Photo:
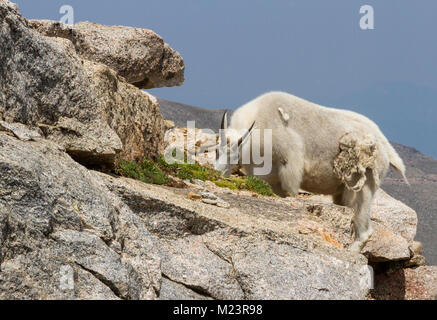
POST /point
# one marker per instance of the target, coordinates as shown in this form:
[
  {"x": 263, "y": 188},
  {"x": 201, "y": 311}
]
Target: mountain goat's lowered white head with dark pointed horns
[{"x": 228, "y": 150}]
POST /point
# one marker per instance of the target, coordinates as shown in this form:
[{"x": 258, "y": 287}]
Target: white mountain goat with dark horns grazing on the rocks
[{"x": 315, "y": 148}]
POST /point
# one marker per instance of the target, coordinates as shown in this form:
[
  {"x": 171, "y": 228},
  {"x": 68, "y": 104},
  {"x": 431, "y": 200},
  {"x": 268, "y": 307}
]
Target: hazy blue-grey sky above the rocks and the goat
[{"x": 236, "y": 50}]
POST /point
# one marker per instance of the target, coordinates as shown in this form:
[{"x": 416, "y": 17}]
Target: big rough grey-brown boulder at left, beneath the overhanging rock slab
[{"x": 85, "y": 106}]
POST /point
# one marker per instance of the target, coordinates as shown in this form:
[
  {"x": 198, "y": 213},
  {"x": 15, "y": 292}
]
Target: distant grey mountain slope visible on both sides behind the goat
[{"x": 421, "y": 172}]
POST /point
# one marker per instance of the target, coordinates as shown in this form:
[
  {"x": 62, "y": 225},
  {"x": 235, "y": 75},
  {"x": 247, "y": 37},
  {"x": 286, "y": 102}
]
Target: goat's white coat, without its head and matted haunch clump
[{"x": 305, "y": 145}]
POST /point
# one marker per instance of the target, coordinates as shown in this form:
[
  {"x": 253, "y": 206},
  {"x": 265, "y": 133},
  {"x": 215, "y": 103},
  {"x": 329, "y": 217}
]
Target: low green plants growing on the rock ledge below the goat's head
[{"x": 158, "y": 172}]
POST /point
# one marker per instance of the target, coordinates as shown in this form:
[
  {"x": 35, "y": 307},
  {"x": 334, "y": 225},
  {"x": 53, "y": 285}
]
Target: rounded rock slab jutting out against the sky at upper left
[{"x": 139, "y": 55}]
